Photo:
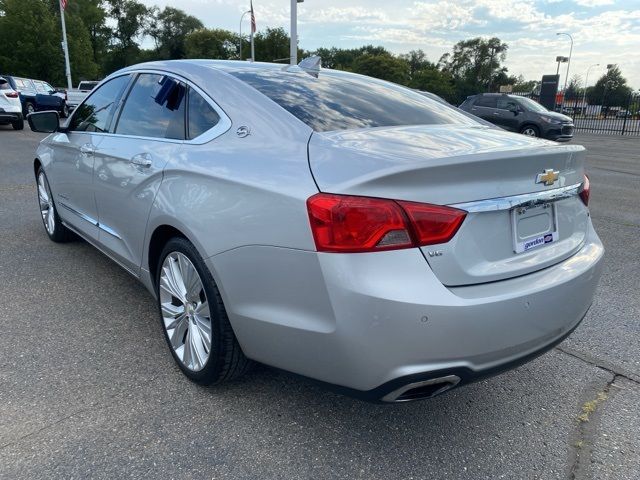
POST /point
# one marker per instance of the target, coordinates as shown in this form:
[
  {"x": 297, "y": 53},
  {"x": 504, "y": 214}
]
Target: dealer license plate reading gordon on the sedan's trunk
[{"x": 534, "y": 227}]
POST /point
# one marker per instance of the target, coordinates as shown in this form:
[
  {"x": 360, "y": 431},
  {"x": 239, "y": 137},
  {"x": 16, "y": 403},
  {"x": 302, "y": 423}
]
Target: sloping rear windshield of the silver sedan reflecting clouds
[{"x": 339, "y": 101}]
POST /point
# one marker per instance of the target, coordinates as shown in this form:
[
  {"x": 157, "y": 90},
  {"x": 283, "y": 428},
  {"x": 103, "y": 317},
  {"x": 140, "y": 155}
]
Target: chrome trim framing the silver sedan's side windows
[{"x": 219, "y": 129}]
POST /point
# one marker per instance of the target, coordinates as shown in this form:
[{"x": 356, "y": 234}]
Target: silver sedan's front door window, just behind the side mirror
[{"x": 94, "y": 115}]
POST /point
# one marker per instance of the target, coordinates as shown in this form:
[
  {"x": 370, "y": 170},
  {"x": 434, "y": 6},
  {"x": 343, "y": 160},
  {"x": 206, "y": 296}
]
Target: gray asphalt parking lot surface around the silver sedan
[{"x": 88, "y": 388}]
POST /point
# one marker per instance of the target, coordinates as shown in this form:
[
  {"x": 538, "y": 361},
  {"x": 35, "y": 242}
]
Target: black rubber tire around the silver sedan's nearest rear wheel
[{"x": 226, "y": 360}]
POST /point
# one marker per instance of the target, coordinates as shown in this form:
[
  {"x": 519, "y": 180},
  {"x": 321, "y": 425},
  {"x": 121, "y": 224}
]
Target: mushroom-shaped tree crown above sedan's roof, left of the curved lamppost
[{"x": 169, "y": 29}]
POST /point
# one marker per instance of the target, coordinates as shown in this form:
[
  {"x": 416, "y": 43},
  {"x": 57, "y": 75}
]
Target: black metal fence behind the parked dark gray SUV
[{"x": 605, "y": 118}]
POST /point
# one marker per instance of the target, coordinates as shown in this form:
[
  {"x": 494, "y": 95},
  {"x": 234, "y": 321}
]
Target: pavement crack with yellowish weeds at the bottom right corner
[{"x": 582, "y": 443}]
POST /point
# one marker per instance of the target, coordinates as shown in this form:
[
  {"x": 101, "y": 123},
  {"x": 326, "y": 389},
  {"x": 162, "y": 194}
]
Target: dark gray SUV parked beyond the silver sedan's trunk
[{"x": 520, "y": 114}]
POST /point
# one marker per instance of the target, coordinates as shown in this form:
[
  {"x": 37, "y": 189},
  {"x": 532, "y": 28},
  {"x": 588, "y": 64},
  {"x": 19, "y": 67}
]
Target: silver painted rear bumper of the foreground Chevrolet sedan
[{"x": 372, "y": 322}]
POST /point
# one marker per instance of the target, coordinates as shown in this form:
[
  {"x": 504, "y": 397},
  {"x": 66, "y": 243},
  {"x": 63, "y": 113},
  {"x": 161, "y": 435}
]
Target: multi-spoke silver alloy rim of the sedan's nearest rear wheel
[{"x": 185, "y": 311}]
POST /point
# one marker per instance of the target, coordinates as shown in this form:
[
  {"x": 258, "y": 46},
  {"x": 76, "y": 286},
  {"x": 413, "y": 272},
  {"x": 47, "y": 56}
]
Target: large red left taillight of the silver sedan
[{"x": 342, "y": 223}]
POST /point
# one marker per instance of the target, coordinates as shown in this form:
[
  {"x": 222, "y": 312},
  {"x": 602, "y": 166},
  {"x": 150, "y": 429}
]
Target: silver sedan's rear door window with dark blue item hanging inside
[{"x": 155, "y": 107}]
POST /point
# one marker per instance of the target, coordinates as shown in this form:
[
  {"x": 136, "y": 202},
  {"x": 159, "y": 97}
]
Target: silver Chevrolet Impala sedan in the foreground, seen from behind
[{"x": 334, "y": 225}]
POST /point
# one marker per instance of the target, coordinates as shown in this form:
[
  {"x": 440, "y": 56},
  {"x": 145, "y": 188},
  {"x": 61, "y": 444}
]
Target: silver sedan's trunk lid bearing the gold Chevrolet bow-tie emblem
[{"x": 471, "y": 168}]
